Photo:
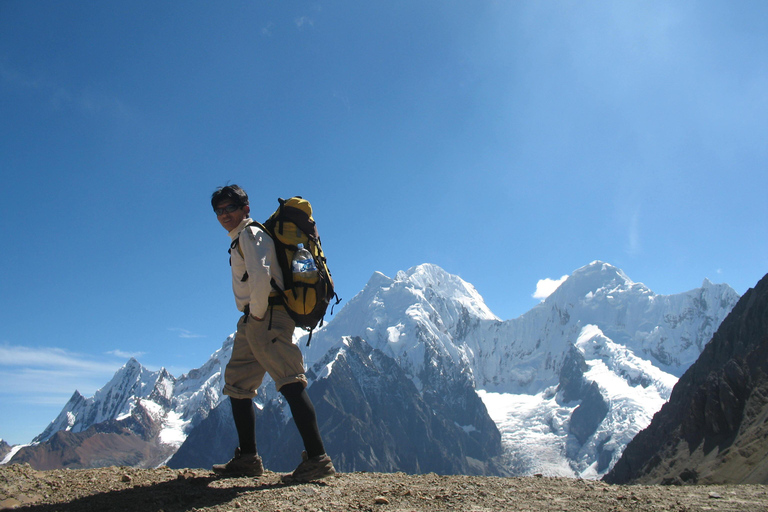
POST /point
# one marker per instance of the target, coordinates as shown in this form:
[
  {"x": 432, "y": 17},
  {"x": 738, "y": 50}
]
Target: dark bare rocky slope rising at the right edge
[{"x": 713, "y": 429}]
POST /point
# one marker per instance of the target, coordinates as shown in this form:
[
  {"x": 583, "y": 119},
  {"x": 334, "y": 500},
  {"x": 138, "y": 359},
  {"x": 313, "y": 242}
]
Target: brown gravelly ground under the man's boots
[{"x": 163, "y": 489}]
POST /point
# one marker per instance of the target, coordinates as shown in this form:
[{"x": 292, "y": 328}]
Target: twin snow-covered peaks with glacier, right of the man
[{"x": 634, "y": 344}]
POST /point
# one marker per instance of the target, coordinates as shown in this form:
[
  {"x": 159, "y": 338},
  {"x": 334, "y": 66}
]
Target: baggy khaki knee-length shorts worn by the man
[{"x": 258, "y": 350}]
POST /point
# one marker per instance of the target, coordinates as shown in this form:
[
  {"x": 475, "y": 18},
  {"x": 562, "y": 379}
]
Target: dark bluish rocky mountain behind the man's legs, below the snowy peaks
[{"x": 372, "y": 418}]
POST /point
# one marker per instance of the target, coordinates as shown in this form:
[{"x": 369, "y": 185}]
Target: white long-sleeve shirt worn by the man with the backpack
[{"x": 259, "y": 259}]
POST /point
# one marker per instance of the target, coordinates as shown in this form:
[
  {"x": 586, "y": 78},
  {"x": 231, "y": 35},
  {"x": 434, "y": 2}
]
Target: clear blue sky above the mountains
[{"x": 507, "y": 142}]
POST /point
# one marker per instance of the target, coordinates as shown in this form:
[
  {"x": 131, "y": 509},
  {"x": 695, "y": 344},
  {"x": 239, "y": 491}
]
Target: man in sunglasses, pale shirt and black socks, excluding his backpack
[{"x": 263, "y": 344}]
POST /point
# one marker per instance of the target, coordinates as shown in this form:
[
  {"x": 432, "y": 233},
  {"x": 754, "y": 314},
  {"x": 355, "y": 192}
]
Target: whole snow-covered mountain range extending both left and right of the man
[{"x": 568, "y": 384}]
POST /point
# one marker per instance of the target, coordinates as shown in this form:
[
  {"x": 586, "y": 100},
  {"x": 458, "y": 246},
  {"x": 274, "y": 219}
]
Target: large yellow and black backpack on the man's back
[{"x": 305, "y": 299}]
